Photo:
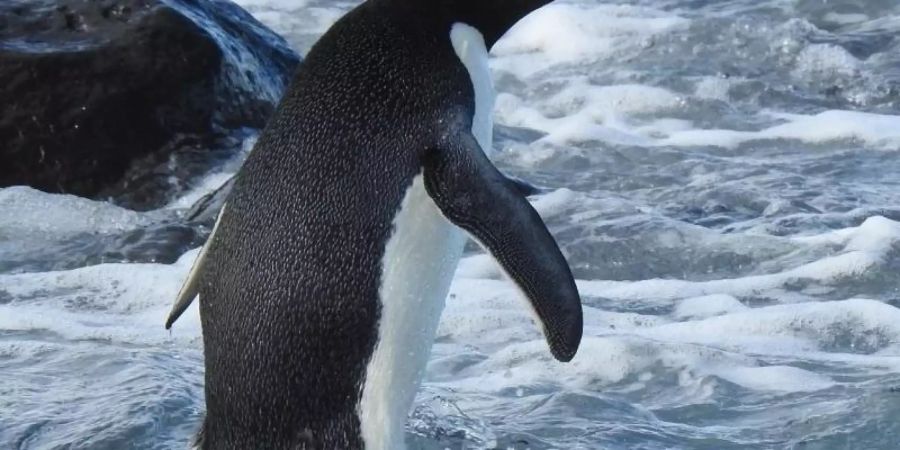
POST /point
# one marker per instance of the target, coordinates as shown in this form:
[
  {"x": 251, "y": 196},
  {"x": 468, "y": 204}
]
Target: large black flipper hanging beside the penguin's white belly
[{"x": 475, "y": 196}]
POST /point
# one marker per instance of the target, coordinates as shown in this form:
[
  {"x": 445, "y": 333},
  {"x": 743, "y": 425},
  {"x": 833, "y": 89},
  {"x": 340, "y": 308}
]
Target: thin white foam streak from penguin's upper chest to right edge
[{"x": 603, "y": 122}]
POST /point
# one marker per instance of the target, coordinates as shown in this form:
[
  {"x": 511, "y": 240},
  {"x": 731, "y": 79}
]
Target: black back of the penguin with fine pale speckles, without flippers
[{"x": 289, "y": 298}]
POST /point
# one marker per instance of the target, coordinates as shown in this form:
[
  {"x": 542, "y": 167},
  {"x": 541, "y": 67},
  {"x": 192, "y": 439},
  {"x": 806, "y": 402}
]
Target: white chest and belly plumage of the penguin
[{"x": 417, "y": 267}]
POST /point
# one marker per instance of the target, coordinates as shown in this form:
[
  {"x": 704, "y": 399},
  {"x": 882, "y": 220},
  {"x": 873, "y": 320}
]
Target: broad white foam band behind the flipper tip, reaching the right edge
[{"x": 624, "y": 347}]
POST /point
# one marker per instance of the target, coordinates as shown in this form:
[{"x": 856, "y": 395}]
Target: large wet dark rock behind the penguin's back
[{"x": 91, "y": 90}]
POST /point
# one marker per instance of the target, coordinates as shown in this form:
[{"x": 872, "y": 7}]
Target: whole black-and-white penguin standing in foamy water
[{"x": 323, "y": 281}]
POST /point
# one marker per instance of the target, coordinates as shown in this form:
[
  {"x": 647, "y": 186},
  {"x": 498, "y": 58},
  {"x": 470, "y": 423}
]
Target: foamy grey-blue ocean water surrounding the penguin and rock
[{"x": 723, "y": 176}]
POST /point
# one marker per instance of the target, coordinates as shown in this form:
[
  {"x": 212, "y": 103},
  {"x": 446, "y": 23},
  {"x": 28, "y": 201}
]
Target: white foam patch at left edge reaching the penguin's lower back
[{"x": 125, "y": 303}]
